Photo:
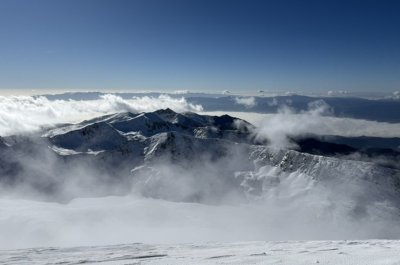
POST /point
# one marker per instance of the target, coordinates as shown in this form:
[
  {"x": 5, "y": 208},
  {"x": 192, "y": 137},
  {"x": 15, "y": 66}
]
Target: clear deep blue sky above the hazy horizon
[{"x": 200, "y": 45}]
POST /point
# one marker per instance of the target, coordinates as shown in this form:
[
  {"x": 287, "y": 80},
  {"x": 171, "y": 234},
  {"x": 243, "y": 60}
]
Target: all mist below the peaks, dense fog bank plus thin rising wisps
[{"x": 170, "y": 200}]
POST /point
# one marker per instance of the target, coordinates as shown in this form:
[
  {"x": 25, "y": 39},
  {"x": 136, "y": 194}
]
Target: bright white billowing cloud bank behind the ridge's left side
[{"x": 19, "y": 114}]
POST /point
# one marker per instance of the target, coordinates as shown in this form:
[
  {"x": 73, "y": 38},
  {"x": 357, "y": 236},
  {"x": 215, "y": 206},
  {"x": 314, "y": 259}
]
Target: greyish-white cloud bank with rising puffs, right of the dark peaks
[{"x": 317, "y": 120}]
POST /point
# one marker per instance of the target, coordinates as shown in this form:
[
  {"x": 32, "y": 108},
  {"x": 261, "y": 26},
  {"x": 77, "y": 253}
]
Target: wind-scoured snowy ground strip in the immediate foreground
[{"x": 278, "y": 252}]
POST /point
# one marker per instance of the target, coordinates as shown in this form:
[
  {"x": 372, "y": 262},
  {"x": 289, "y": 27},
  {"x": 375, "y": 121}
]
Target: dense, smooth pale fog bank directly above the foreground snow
[{"x": 116, "y": 220}]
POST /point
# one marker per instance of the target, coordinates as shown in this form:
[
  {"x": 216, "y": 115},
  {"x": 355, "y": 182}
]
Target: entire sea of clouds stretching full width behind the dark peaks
[{"x": 22, "y": 114}]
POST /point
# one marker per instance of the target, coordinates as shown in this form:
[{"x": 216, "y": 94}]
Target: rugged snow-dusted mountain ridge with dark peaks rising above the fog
[{"x": 182, "y": 157}]
